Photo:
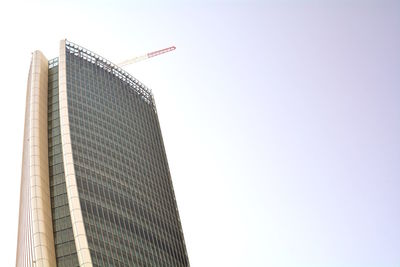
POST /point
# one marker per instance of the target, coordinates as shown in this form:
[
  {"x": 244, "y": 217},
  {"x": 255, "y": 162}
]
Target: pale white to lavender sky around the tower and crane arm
[{"x": 281, "y": 119}]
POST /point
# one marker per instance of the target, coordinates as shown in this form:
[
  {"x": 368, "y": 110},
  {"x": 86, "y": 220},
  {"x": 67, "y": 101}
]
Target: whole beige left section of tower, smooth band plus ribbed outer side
[{"x": 36, "y": 241}]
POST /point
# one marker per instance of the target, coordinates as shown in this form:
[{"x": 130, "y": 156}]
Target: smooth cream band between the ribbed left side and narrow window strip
[{"x": 43, "y": 239}]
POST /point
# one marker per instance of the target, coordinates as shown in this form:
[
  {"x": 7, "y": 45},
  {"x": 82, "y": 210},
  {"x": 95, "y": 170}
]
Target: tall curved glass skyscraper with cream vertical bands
[{"x": 95, "y": 187}]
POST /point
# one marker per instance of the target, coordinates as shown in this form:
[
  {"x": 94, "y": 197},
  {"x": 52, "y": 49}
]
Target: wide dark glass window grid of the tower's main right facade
[{"x": 128, "y": 204}]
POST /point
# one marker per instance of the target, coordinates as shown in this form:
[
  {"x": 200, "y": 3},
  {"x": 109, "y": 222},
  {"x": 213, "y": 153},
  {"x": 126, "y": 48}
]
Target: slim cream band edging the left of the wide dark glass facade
[{"x": 78, "y": 227}]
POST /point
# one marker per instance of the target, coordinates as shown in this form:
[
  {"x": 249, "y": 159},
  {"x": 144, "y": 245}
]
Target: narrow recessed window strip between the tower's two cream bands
[{"x": 62, "y": 228}]
